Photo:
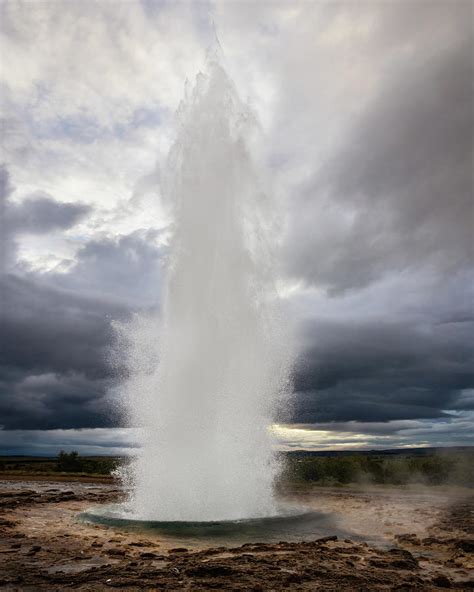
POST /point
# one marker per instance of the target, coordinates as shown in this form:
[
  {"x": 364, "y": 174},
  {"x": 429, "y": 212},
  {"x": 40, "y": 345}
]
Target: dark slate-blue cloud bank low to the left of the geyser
[{"x": 54, "y": 369}]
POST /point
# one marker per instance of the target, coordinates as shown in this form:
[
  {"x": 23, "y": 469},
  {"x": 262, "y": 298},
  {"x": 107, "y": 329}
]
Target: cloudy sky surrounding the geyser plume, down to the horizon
[{"x": 366, "y": 111}]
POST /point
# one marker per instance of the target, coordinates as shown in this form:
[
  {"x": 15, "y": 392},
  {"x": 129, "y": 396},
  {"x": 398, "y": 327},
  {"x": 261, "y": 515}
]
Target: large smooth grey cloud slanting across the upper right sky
[{"x": 398, "y": 194}]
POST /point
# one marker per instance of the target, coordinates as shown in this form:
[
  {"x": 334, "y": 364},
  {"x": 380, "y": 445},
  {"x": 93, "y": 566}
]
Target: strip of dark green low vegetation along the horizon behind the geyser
[{"x": 419, "y": 466}]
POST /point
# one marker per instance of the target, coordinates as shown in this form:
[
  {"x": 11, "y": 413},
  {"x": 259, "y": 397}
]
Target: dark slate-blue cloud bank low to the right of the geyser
[{"x": 376, "y": 371}]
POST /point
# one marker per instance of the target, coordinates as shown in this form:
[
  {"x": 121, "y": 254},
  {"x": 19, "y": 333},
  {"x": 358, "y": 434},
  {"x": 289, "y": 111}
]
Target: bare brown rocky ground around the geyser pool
[{"x": 417, "y": 540}]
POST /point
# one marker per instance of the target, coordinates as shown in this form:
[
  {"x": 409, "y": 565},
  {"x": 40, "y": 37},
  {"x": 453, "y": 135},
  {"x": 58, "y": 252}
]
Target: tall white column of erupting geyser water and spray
[{"x": 203, "y": 382}]
